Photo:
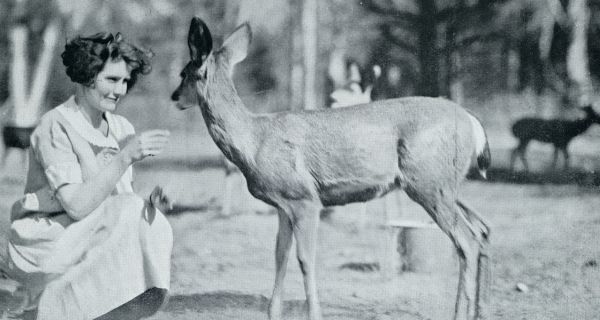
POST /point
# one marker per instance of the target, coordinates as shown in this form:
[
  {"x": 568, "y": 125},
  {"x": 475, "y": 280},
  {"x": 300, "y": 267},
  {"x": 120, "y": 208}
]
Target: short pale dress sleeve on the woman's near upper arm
[{"x": 54, "y": 151}]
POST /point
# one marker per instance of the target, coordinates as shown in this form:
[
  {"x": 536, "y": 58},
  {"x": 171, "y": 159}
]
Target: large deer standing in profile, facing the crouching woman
[{"x": 301, "y": 161}]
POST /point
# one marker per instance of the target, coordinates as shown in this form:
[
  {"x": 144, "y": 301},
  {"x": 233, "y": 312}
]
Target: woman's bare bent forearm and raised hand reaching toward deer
[{"x": 81, "y": 199}]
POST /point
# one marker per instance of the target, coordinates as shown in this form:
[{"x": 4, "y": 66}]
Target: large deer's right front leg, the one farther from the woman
[{"x": 306, "y": 224}]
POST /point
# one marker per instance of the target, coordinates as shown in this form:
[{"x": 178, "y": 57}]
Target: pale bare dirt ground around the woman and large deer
[{"x": 544, "y": 237}]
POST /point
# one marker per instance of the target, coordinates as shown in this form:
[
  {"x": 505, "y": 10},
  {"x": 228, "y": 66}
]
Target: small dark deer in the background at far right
[{"x": 555, "y": 131}]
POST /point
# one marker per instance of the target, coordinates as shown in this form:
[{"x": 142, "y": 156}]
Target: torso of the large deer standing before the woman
[{"x": 357, "y": 153}]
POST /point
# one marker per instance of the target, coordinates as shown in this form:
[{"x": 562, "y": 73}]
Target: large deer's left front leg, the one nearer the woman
[{"x": 282, "y": 252}]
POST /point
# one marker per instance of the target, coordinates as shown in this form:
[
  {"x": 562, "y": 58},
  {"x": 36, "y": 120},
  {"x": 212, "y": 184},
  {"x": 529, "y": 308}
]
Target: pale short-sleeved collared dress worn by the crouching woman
[{"x": 84, "y": 269}]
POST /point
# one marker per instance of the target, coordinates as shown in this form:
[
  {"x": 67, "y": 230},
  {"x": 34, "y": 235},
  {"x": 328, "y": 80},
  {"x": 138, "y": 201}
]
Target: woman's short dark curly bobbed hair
[{"x": 85, "y": 57}]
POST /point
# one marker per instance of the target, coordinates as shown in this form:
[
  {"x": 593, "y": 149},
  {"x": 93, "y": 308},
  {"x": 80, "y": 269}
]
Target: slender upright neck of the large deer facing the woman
[{"x": 228, "y": 121}]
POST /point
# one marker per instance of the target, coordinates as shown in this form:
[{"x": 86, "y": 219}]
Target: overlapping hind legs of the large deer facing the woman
[{"x": 468, "y": 234}]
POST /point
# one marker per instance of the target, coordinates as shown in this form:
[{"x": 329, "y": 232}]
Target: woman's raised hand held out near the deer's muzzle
[{"x": 147, "y": 143}]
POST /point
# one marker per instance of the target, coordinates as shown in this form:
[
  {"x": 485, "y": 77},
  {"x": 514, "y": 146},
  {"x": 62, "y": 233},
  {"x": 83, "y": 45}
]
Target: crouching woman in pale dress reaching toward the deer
[{"x": 82, "y": 243}]
